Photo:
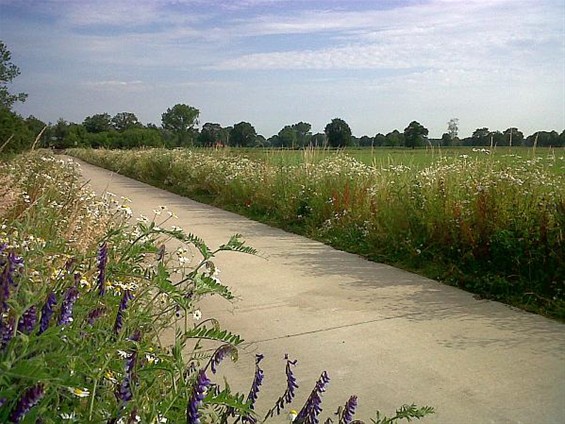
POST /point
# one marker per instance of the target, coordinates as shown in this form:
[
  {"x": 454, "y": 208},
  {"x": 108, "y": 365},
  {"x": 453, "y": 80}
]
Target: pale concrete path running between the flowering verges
[{"x": 388, "y": 336}]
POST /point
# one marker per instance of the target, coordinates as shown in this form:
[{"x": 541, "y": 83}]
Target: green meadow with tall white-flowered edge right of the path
[{"x": 490, "y": 221}]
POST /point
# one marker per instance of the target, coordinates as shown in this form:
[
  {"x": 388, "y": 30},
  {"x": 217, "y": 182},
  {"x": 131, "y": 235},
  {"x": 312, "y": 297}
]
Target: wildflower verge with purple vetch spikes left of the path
[{"x": 86, "y": 291}]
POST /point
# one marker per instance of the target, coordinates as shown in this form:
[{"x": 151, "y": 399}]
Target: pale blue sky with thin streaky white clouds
[{"x": 376, "y": 64}]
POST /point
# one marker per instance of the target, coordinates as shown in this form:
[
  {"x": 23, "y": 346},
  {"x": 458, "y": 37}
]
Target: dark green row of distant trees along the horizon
[{"x": 179, "y": 128}]
